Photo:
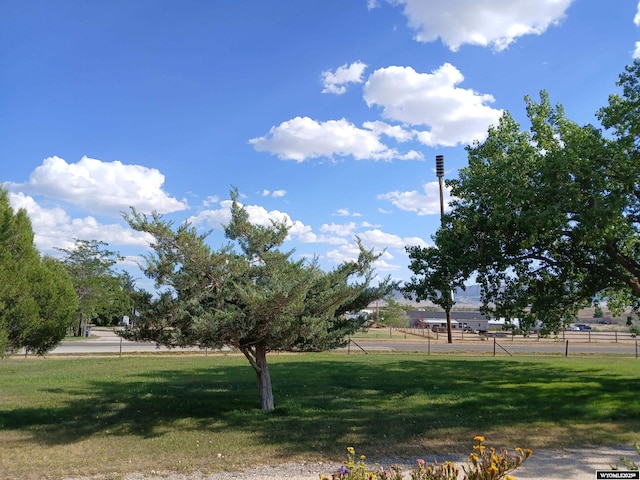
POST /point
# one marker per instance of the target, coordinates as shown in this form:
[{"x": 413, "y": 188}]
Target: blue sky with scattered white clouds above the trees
[{"x": 327, "y": 113}]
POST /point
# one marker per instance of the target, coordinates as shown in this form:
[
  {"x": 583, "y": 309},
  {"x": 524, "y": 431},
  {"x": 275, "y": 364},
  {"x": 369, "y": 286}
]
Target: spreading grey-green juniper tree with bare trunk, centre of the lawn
[{"x": 249, "y": 295}]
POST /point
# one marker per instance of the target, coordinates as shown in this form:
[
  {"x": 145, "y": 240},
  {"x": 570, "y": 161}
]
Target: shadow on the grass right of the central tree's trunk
[{"x": 406, "y": 404}]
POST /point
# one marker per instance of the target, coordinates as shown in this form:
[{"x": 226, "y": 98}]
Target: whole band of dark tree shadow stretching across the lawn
[{"x": 384, "y": 405}]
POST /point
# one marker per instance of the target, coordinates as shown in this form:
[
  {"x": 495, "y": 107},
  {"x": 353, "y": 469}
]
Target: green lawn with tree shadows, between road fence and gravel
[{"x": 64, "y": 417}]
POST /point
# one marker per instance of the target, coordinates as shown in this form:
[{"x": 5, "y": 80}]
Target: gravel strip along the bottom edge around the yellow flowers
[{"x": 570, "y": 464}]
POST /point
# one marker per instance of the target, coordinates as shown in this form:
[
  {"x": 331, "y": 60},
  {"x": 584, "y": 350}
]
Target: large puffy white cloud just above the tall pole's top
[{"x": 454, "y": 115}]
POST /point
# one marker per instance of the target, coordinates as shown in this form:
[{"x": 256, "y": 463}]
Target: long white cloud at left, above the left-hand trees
[{"x": 101, "y": 187}]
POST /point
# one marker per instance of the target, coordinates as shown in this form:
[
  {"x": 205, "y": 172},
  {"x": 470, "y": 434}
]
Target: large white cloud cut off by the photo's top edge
[{"x": 487, "y": 23}]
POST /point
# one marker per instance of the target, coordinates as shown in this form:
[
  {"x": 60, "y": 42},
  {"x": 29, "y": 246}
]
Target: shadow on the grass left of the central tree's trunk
[{"x": 145, "y": 405}]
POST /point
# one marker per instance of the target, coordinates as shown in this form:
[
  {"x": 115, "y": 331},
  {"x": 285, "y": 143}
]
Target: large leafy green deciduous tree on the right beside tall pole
[{"x": 547, "y": 219}]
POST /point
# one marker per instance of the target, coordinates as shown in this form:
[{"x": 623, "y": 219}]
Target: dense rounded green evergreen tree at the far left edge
[{"x": 37, "y": 300}]
